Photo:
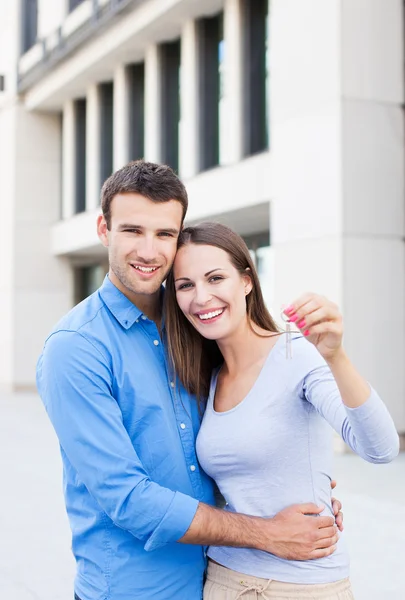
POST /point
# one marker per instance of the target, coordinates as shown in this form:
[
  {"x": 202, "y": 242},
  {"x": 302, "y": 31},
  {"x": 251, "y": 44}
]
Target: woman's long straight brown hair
[{"x": 192, "y": 356}]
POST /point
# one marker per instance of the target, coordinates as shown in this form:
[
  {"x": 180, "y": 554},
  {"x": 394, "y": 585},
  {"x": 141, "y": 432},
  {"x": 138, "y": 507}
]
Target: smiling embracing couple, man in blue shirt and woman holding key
[{"x": 129, "y": 374}]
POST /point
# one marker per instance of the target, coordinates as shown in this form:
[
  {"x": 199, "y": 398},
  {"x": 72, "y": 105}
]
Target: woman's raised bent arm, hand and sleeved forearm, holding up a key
[{"x": 335, "y": 387}]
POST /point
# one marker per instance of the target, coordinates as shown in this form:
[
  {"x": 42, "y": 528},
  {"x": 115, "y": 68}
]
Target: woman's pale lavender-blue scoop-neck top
[{"x": 274, "y": 449}]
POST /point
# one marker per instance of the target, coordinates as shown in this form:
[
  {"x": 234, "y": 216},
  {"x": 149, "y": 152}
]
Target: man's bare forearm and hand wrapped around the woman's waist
[{"x": 291, "y": 534}]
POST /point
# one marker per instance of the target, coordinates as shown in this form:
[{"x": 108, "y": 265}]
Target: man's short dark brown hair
[{"x": 158, "y": 183}]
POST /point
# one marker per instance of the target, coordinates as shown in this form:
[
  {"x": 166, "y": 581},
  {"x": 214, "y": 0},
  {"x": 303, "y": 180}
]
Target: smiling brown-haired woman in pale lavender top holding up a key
[{"x": 265, "y": 437}]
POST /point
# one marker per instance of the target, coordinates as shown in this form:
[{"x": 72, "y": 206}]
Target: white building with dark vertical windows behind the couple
[{"x": 283, "y": 118}]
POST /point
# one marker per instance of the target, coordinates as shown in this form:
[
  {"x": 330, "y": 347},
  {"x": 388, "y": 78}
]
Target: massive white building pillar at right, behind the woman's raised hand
[{"x": 337, "y": 218}]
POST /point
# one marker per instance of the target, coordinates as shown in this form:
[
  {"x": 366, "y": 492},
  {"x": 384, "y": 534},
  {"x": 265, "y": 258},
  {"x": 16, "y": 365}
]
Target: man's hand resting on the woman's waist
[{"x": 297, "y": 533}]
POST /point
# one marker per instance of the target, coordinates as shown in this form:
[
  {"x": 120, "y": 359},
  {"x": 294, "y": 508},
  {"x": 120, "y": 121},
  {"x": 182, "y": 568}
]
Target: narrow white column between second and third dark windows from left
[{"x": 121, "y": 117}]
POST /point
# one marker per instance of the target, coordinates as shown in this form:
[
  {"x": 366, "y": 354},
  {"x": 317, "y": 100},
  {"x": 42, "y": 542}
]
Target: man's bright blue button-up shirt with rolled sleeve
[{"x": 127, "y": 434}]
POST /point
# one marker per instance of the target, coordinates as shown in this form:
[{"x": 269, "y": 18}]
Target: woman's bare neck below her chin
[{"x": 246, "y": 346}]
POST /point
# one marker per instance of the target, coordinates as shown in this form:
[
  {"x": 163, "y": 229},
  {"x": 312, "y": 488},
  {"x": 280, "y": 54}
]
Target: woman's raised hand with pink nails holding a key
[{"x": 320, "y": 321}]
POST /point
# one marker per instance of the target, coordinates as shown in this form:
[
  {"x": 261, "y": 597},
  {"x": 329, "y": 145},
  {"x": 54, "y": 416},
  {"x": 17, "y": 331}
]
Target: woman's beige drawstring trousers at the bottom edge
[{"x": 225, "y": 584}]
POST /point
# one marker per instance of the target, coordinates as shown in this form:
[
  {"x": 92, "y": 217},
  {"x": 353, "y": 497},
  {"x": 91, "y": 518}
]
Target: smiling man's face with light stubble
[{"x": 141, "y": 242}]
